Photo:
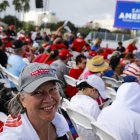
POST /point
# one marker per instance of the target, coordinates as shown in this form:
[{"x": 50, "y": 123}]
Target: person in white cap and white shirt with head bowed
[{"x": 85, "y": 100}]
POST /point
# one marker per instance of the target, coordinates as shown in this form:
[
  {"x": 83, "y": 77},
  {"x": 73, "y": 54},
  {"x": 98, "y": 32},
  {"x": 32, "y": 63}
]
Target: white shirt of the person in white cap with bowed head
[{"x": 88, "y": 106}]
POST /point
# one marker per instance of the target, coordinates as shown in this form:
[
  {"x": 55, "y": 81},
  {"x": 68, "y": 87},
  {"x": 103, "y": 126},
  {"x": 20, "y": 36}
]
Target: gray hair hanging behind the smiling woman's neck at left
[{"x": 15, "y": 107}]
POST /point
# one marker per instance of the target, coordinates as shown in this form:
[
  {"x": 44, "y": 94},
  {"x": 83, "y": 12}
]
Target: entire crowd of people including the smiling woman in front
[{"x": 41, "y": 60}]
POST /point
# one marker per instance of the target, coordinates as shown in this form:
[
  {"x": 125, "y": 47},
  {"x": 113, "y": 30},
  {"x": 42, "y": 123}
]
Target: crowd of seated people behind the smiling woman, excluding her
[{"x": 89, "y": 60}]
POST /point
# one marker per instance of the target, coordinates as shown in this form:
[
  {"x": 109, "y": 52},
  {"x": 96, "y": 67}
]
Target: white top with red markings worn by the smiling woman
[{"x": 21, "y": 128}]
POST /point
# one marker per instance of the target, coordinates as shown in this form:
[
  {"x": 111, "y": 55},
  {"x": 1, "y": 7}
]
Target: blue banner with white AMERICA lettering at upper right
[{"x": 127, "y": 15}]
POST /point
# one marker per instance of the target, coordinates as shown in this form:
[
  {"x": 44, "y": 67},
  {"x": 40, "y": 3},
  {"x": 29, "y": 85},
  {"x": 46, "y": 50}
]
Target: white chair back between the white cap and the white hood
[{"x": 111, "y": 81}]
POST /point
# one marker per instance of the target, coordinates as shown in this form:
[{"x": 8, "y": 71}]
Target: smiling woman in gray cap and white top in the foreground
[{"x": 34, "y": 109}]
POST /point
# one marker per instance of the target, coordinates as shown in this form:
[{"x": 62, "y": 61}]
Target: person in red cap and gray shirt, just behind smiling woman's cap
[{"x": 60, "y": 64}]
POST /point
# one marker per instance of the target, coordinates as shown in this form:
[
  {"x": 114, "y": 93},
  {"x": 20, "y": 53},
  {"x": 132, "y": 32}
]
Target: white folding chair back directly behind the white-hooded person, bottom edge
[{"x": 102, "y": 132}]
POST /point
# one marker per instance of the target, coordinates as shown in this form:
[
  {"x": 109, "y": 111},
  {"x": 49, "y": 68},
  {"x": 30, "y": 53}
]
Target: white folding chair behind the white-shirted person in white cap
[{"x": 80, "y": 119}]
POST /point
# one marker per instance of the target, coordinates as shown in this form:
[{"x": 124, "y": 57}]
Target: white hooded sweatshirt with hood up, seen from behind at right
[{"x": 122, "y": 118}]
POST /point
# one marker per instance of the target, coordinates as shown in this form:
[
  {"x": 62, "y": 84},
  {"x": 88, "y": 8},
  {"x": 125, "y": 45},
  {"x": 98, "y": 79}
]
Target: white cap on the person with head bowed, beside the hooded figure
[{"x": 96, "y": 82}]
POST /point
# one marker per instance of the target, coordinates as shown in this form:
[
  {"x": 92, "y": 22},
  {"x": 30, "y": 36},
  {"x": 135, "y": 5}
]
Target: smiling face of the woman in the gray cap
[{"x": 42, "y": 104}]
